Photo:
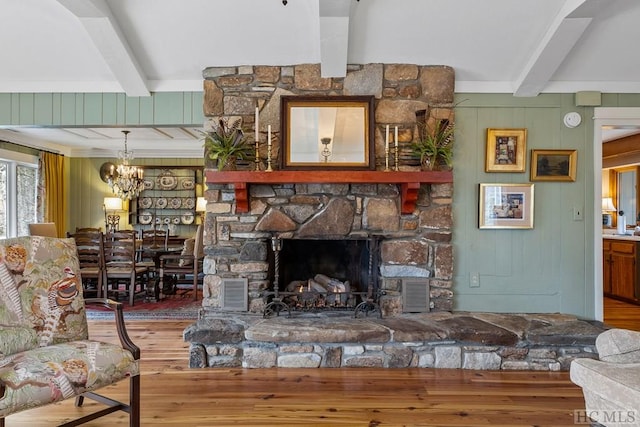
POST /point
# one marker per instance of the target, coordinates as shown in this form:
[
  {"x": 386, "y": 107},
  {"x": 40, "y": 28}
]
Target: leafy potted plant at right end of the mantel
[{"x": 434, "y": 147}]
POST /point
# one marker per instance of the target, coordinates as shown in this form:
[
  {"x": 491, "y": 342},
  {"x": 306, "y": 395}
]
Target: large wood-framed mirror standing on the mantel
[{"x": 327, "y": 132}]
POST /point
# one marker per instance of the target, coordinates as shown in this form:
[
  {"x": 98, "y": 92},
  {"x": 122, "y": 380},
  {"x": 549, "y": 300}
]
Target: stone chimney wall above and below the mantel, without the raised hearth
[{"x": 413, "y": 245}]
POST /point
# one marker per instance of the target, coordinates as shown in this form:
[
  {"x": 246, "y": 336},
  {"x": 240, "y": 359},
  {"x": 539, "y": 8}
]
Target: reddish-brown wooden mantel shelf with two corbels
[{"x": 408, "y": 181}]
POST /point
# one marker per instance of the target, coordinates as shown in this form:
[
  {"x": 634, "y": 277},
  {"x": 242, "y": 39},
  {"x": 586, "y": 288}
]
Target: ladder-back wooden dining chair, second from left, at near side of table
[{"x": 119, "y": 249}]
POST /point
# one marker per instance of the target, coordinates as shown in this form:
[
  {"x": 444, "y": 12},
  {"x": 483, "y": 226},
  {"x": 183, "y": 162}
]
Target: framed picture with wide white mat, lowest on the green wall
[{"x": 506, "y": 206}]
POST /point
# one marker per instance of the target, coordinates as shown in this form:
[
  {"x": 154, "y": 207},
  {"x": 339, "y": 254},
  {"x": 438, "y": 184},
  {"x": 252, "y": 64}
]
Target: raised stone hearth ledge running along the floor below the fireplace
[{"x": 431, "y": 340}]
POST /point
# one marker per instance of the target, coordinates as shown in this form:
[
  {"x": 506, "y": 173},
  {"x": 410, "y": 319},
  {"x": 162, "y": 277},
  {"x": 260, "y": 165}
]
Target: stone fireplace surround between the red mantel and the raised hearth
[{"x": 407, "y": 246}]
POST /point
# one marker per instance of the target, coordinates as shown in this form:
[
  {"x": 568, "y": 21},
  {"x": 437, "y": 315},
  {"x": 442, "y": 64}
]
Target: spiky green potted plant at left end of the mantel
[{"x": 226, "y": 144}]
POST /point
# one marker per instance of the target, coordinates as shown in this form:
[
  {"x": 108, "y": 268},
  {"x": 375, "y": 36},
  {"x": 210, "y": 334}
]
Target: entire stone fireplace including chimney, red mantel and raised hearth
[{"x": 406, "y": 213}]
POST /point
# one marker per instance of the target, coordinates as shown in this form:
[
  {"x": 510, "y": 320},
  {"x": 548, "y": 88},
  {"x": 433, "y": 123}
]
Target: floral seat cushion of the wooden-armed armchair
[{"x": 56, "y": 372}]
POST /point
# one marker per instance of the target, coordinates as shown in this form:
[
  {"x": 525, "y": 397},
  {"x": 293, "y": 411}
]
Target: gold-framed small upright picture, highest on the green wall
[{"x": 506, "y": 150}]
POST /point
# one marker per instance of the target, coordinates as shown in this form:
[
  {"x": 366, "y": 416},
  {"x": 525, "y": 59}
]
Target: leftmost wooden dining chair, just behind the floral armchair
[{"x": 89, "y": 245}]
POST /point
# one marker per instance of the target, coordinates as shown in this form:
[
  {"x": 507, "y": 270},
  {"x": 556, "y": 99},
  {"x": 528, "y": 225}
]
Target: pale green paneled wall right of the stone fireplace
[{"x": 546, "y": 269}]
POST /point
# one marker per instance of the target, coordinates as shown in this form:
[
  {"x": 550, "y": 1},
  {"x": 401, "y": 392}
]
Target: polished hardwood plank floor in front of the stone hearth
[{"x": 174, "y": 395}]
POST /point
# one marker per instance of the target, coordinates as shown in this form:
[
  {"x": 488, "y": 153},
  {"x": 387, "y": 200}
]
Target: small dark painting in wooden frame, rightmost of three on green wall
[{"x": 553, "y": 165}]
